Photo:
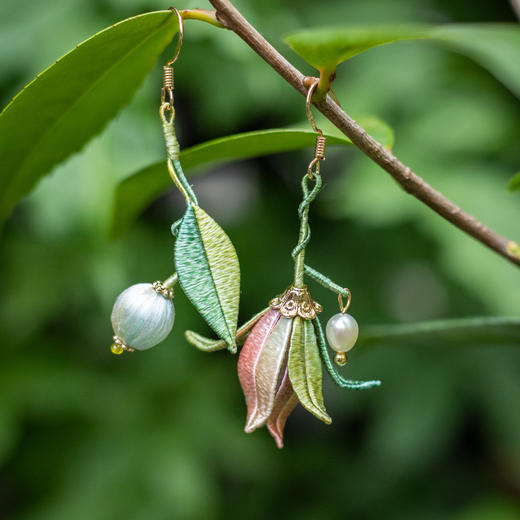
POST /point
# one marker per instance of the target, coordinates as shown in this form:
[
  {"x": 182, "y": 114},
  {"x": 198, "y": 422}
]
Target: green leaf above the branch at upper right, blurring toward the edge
[{"x": 494, "y": 46}]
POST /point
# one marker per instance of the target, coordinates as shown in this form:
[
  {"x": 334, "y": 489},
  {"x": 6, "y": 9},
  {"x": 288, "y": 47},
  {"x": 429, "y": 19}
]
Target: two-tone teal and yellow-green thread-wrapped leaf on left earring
[{"x": 209, "y": 274}]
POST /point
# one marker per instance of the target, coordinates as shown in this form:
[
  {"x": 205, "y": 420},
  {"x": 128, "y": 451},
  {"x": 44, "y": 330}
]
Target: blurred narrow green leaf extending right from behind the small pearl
[{"x": 459, "y": 331}]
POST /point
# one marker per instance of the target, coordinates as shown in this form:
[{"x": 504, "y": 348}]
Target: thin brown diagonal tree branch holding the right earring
[{"x": 231, "y": 18}]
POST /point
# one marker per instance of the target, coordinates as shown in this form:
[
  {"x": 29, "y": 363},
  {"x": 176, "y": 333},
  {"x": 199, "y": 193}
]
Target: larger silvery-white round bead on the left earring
[{"x": 141, "y": 317}]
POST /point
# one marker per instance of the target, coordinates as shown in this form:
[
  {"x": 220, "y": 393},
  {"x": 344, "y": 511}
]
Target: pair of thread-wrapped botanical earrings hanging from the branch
[{"x": 280, "y": 363}]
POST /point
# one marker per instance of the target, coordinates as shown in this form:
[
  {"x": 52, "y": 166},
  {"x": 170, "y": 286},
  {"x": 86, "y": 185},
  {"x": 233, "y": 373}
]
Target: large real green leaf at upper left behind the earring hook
[{"x": 70, "y": 102}]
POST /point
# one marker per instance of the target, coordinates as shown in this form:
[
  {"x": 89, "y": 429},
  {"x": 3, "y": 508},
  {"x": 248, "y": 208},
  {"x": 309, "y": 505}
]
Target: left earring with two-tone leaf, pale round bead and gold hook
[{"x": 206, "y": 263}]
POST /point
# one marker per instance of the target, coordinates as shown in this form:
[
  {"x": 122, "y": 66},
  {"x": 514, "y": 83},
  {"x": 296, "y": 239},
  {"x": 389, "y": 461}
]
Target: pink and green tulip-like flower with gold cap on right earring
[{"x": 280, "y": 364}]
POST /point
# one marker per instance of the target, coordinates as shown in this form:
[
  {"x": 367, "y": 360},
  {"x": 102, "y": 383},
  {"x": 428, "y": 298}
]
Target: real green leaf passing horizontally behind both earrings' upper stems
[{"x": 138, "y": 190}]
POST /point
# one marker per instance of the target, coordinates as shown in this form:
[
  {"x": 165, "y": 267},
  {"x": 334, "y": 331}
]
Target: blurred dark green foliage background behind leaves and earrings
[{"x": 87, "y": 435}]
